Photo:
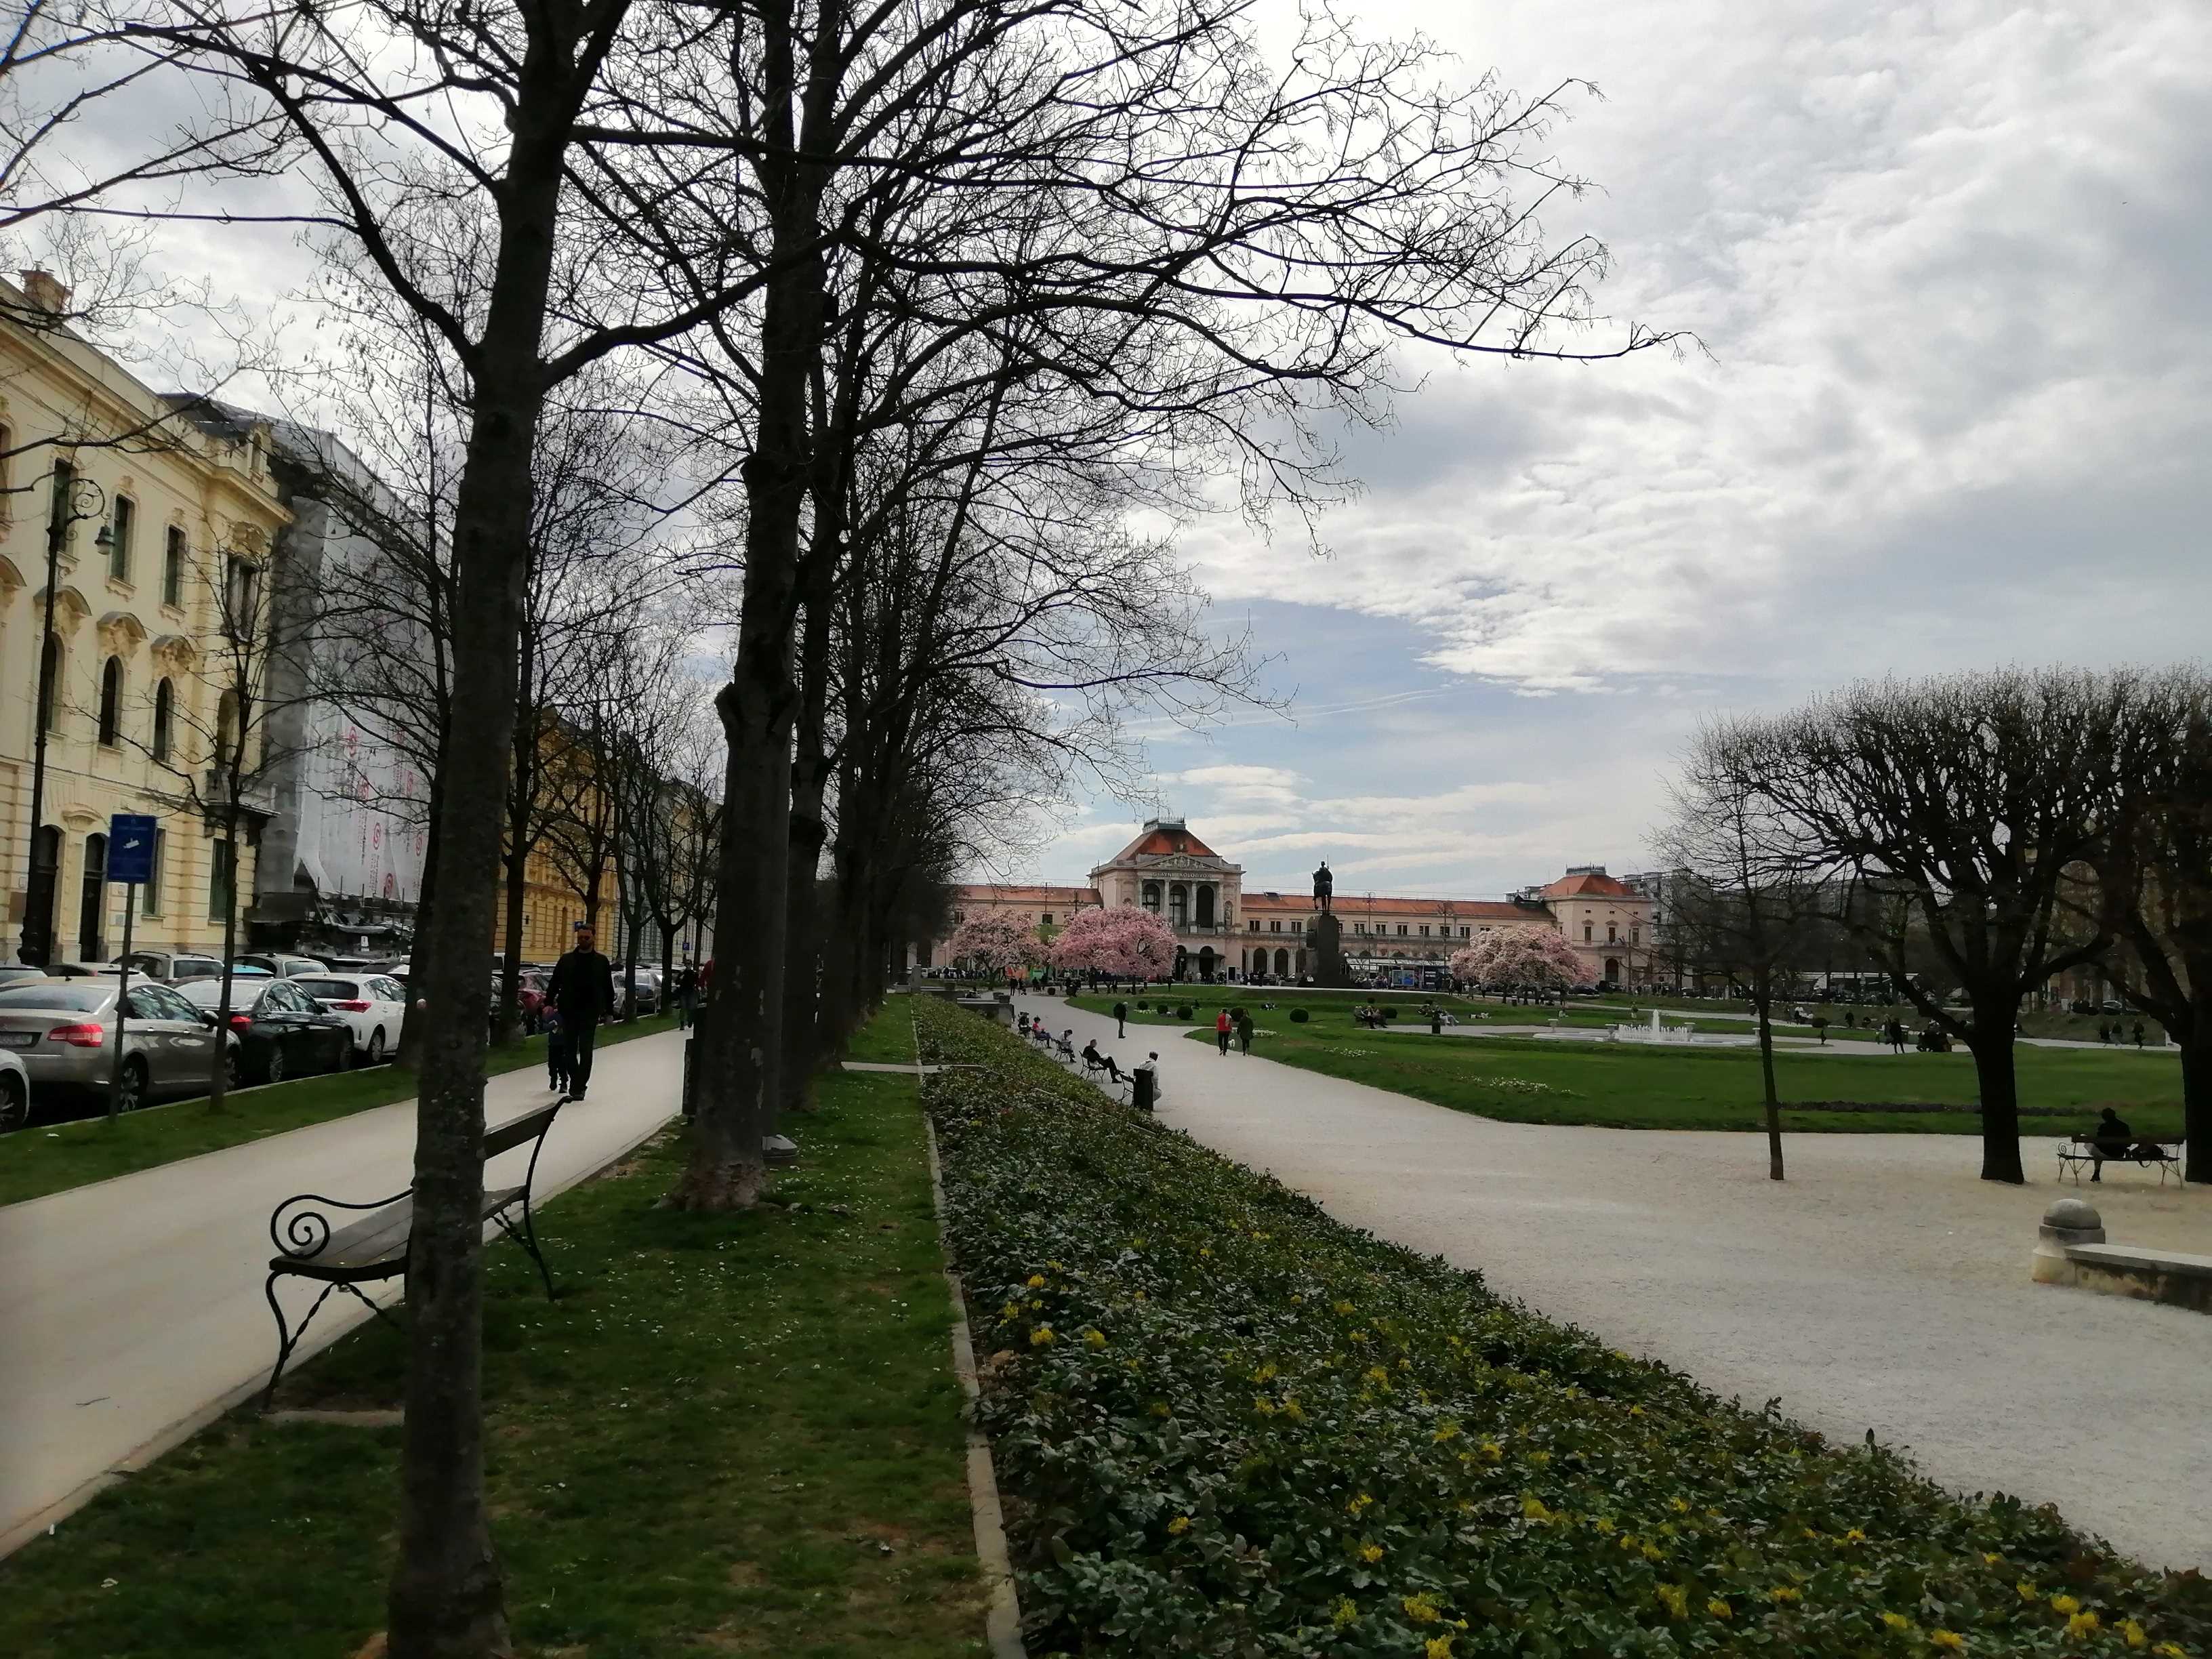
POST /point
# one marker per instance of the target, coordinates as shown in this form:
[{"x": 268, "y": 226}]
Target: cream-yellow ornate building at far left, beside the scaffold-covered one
[{"x": 163, "y": 530}]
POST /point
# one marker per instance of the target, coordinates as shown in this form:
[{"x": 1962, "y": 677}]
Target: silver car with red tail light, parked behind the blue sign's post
[{"x": 65, "y": 1036}]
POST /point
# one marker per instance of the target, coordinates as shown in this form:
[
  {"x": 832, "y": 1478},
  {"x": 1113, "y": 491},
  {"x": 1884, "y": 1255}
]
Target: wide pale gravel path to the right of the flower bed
[{"x": 1881, "y": 1286}]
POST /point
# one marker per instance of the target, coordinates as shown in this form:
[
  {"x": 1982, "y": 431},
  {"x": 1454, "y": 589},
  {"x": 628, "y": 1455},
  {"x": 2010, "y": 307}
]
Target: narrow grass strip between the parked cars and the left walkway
[{"x": 54, "y": 1158}]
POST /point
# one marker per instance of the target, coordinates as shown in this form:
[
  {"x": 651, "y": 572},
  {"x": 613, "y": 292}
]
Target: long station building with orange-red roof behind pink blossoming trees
[{"x": 1227, "y": 930}]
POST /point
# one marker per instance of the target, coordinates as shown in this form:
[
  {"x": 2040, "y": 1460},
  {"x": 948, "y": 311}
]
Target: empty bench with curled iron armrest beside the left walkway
[{"x": 375, "y": 1246}]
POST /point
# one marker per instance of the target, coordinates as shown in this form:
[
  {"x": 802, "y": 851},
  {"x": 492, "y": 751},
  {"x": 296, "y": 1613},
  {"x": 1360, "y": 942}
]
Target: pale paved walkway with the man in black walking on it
[{"x": 132, "y": 1311}]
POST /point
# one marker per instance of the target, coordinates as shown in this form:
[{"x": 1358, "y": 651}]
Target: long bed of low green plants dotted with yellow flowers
[{"x": 1229, "y": 1426}]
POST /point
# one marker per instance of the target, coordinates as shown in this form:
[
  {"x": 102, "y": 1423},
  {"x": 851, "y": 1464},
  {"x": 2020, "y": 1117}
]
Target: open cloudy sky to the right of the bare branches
[{"x": 1950, "y": 267}]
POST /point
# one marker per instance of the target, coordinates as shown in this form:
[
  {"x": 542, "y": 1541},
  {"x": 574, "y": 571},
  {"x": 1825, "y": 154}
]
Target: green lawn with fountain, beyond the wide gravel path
[{"x": 1534, "y": 1081}]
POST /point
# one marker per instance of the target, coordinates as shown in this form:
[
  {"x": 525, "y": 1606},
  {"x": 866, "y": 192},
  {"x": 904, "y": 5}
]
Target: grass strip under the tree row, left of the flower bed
[{"x": 729, "y": 1437}]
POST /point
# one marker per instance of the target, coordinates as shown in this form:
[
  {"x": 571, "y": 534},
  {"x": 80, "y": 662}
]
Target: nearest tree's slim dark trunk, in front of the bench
[{"x": 448, "y": 1596}]
